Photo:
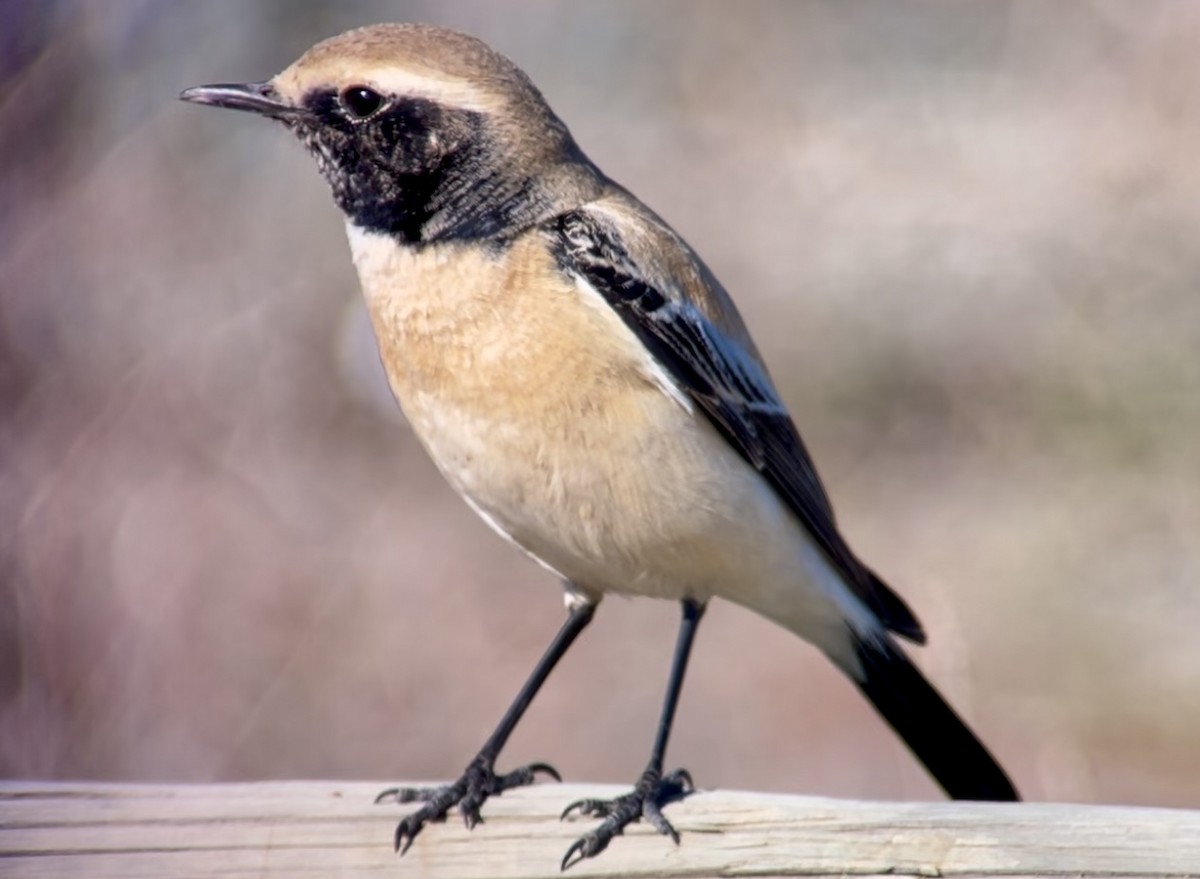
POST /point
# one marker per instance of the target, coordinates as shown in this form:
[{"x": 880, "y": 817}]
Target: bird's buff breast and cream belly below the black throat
[{"x": 542, "y": 408}]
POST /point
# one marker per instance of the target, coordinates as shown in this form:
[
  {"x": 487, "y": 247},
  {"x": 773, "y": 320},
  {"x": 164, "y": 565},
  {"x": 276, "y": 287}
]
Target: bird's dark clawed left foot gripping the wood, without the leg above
[{"x": 478, "y": 782}]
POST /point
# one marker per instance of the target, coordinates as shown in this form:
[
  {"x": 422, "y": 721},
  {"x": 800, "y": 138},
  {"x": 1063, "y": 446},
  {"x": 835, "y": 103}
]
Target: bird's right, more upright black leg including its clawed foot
[{"x": 653, "y": 791}]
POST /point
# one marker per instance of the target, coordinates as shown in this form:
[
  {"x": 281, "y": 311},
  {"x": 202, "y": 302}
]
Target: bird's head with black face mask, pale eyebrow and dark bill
[{"x": 423, "y": 133}]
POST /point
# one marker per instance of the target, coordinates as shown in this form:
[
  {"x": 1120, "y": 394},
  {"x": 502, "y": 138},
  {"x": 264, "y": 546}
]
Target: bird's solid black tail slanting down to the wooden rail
[{"x": 929, "y": 727}]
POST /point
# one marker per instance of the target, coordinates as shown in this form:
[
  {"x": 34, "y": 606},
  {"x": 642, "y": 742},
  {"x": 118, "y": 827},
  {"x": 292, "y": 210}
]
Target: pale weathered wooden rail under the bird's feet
[{"x": 327, "y": 829}]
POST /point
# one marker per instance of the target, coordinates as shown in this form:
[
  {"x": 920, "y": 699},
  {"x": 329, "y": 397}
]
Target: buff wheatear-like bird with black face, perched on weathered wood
[{"x": 585, "y": 382}]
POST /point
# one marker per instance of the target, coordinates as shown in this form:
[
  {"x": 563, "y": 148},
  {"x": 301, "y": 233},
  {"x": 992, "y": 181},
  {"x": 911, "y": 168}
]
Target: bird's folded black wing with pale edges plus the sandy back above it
[{"x": 680, "y": 313}]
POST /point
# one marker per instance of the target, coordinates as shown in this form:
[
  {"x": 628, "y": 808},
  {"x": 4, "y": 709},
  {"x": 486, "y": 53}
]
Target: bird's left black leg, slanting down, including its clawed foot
[{"x": 479, "y": 780}]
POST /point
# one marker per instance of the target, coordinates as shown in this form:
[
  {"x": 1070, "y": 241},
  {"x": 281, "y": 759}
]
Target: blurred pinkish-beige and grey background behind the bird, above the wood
[{"x": 964, "y": 235}]
